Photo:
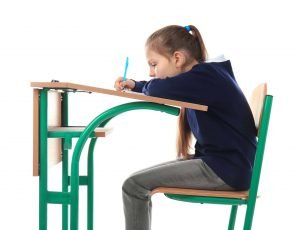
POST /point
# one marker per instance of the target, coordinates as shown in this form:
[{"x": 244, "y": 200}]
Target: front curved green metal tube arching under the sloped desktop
[{"x": 109, "y": 114}]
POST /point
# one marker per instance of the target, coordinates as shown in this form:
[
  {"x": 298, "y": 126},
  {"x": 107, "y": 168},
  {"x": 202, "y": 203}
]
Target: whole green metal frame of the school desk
[{"x": 69, "y": 195}]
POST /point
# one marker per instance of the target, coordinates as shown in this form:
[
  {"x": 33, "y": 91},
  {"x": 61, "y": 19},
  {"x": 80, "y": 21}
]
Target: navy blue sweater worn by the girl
[{"x": 226, "y": 134}]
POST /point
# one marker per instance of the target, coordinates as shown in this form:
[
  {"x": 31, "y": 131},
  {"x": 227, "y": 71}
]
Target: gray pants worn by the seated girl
[{"x": 194, "y": 174}]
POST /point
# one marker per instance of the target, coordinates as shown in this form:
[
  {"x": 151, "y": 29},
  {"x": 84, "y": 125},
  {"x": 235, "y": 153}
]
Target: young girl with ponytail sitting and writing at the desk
[{"x": 225, "y": 134}]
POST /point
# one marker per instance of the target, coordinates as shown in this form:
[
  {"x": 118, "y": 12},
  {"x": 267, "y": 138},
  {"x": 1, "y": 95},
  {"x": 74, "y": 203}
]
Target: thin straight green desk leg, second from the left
[{"x": 65, "y": 162}]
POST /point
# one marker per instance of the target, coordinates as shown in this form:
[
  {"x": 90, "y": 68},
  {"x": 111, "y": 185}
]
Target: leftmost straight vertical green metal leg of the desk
[{"x": 43, "y": 160}]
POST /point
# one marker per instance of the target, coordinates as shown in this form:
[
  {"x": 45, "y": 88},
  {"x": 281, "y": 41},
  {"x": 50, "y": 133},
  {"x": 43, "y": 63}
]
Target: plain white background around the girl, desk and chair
[{"x": 87, "y": 42}]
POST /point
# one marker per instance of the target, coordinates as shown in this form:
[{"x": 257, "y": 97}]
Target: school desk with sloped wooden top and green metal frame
[{"x": 52, "y": 140}]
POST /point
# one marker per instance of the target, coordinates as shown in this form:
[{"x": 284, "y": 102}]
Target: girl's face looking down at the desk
[{"x": 161, "y": 66}]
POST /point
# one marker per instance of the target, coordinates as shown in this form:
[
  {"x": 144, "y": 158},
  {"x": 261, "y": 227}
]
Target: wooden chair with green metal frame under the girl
[{"x": 260, "y": 104}]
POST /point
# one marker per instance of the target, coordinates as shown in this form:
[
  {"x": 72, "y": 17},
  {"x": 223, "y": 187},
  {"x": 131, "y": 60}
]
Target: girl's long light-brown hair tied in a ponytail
[{"x": 166, "y": 41}]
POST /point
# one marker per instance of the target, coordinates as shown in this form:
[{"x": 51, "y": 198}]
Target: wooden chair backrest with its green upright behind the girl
[{"x": 261, "y": 105}]
